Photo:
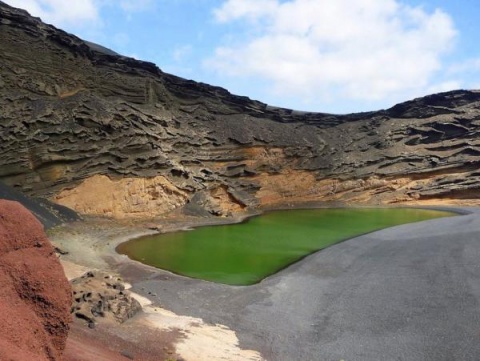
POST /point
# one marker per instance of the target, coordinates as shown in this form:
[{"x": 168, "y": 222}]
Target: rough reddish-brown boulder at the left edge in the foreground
[{"x": 35, "y": 296}]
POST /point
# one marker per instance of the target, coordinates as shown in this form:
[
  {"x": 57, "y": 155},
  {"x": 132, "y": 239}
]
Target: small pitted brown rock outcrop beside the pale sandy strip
[{"x": 100, "y": 296}]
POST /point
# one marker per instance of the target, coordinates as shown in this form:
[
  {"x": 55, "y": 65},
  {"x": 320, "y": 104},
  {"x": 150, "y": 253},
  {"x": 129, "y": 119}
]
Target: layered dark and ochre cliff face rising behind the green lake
[{"x": 76, "y": 118}]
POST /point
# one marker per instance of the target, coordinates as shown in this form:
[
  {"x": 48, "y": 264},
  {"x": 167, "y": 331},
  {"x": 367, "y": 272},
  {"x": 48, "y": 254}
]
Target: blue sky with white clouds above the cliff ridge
[{"x": 334, "y": 56}]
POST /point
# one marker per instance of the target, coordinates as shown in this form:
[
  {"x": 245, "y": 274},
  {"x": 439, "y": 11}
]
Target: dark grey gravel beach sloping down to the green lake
[{"x": 411, "y": 292}]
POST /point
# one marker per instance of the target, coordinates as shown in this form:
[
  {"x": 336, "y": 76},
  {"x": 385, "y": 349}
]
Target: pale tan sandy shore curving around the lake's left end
[{"x": 91, "y": 246}]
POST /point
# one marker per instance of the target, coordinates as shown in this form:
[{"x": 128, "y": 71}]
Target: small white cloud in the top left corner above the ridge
[{"x": 61, "y": 12}]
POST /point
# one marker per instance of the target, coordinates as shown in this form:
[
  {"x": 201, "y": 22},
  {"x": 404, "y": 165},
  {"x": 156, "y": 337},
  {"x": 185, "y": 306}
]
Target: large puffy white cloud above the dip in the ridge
[{"x": 361, "y": 50}]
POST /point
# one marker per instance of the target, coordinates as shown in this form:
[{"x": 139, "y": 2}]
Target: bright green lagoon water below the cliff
[{"x": 245, "y": 253}]
